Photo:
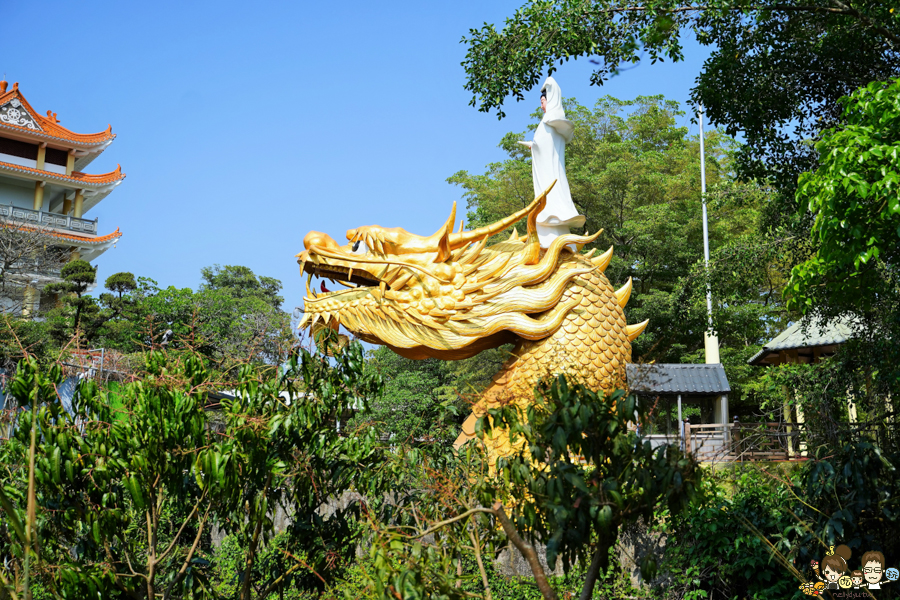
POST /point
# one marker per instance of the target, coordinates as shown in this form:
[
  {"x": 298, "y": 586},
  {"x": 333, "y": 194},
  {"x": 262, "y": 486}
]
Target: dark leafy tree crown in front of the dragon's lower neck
[{"x": 579, "y": 472}]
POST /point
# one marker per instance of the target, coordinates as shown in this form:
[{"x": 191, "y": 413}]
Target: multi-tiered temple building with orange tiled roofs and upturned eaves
[{"x": 45, "y": 196}]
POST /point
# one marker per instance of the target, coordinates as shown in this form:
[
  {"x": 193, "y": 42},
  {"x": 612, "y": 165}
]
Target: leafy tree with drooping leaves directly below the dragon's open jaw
[{"x": 286, "y": 448}]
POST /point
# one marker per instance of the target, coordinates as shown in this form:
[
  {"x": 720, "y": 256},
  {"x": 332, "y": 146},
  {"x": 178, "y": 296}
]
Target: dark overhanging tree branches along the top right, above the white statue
[{"x": 775, "y": 73}]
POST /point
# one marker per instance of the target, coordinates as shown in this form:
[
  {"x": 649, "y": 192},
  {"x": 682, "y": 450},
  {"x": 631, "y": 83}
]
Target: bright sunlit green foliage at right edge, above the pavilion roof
[{"x": 855, "y": 197}]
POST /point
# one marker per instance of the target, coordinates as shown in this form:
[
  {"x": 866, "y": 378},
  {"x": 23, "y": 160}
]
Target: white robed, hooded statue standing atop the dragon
[{"x": 548, "y": 164}]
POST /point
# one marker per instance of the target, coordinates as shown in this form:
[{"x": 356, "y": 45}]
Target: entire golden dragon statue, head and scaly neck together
[{"x": 450, "y": 296}]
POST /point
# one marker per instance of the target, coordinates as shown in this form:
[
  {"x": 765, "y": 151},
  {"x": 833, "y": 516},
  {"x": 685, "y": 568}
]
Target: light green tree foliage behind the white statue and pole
[{"x": 633, "y": 173}]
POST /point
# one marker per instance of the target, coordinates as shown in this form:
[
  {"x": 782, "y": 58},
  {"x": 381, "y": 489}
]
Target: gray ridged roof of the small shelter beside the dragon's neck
[{"x": 677, "y": 379}]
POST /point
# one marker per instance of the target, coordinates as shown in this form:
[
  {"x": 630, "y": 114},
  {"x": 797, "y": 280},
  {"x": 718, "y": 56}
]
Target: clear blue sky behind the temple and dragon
[{"x": 241, "y": 126}]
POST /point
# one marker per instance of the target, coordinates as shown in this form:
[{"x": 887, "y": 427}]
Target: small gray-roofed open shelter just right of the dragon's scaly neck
[{"x": 689, "y": 405}]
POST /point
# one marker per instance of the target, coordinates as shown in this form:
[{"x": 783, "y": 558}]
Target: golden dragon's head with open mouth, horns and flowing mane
[{"x": 447, "y": 295}]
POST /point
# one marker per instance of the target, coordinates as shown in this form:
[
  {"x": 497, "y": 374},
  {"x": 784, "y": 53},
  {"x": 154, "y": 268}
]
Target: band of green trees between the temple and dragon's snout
[{"x": 233, "y": 318}]
